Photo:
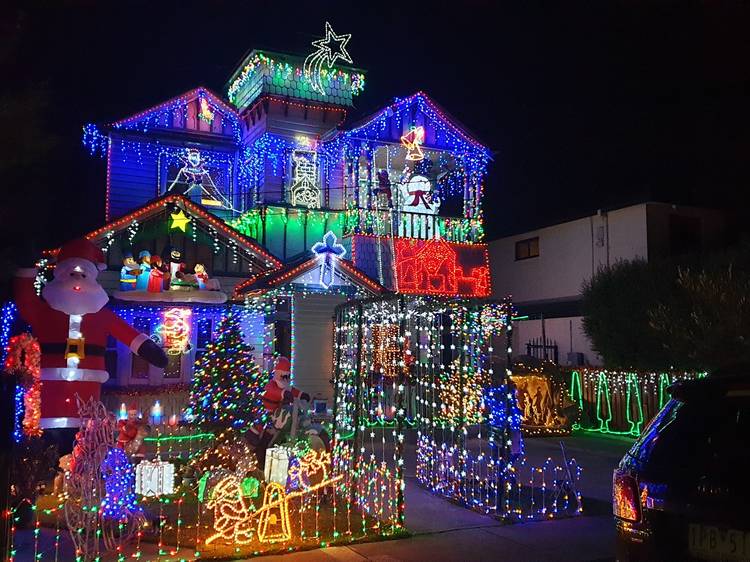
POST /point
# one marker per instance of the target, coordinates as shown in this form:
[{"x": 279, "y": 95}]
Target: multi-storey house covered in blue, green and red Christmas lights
[{"x": 250, "y": 186}]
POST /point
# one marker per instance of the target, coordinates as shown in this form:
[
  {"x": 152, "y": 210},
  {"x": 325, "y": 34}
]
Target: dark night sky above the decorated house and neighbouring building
[{"x": 585, "y": 105}]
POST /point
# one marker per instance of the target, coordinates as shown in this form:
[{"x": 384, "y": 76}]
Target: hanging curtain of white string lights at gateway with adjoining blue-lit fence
[{"x": 468, "y": 425}]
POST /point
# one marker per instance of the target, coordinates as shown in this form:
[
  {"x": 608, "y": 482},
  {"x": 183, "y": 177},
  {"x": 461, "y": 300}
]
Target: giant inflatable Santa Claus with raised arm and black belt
[{"x": 72, "y": 323}]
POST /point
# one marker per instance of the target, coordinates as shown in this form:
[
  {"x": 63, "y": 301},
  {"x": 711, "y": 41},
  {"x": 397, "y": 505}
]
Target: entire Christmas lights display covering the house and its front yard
[{"x": 222, "y": 458}]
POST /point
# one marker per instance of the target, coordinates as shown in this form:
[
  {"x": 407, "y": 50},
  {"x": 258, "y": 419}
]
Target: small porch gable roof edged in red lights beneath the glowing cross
[{"x": 307, "y": 261}]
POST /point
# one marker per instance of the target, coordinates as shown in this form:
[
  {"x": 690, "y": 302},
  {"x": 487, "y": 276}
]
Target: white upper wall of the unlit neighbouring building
[{"x": 569, "y": 254}]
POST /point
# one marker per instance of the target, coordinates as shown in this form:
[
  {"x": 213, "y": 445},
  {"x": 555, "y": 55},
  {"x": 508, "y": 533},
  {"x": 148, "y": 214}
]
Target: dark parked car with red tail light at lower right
[{"x": 681, "y": 492}]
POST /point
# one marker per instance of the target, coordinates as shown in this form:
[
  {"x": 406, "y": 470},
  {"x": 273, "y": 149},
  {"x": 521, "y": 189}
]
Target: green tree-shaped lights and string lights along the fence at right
[{"x": 620, "y": 402}]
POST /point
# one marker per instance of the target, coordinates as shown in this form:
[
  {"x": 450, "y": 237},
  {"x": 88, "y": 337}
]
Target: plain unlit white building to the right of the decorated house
[{"x": 544, "y": 269}]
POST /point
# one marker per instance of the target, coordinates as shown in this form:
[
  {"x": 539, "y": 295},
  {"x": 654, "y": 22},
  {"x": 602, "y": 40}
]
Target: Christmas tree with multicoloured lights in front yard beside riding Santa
[{"x": 228, "y": 384}]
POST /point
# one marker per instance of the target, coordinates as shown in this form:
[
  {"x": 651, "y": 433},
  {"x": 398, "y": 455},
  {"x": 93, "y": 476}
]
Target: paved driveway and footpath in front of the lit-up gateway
[{"x": 445, "y": 532}]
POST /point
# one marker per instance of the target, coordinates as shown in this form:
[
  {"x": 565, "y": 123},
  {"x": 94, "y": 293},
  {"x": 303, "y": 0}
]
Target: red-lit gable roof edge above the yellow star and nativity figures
[{"x": 264, "y": 259}]
